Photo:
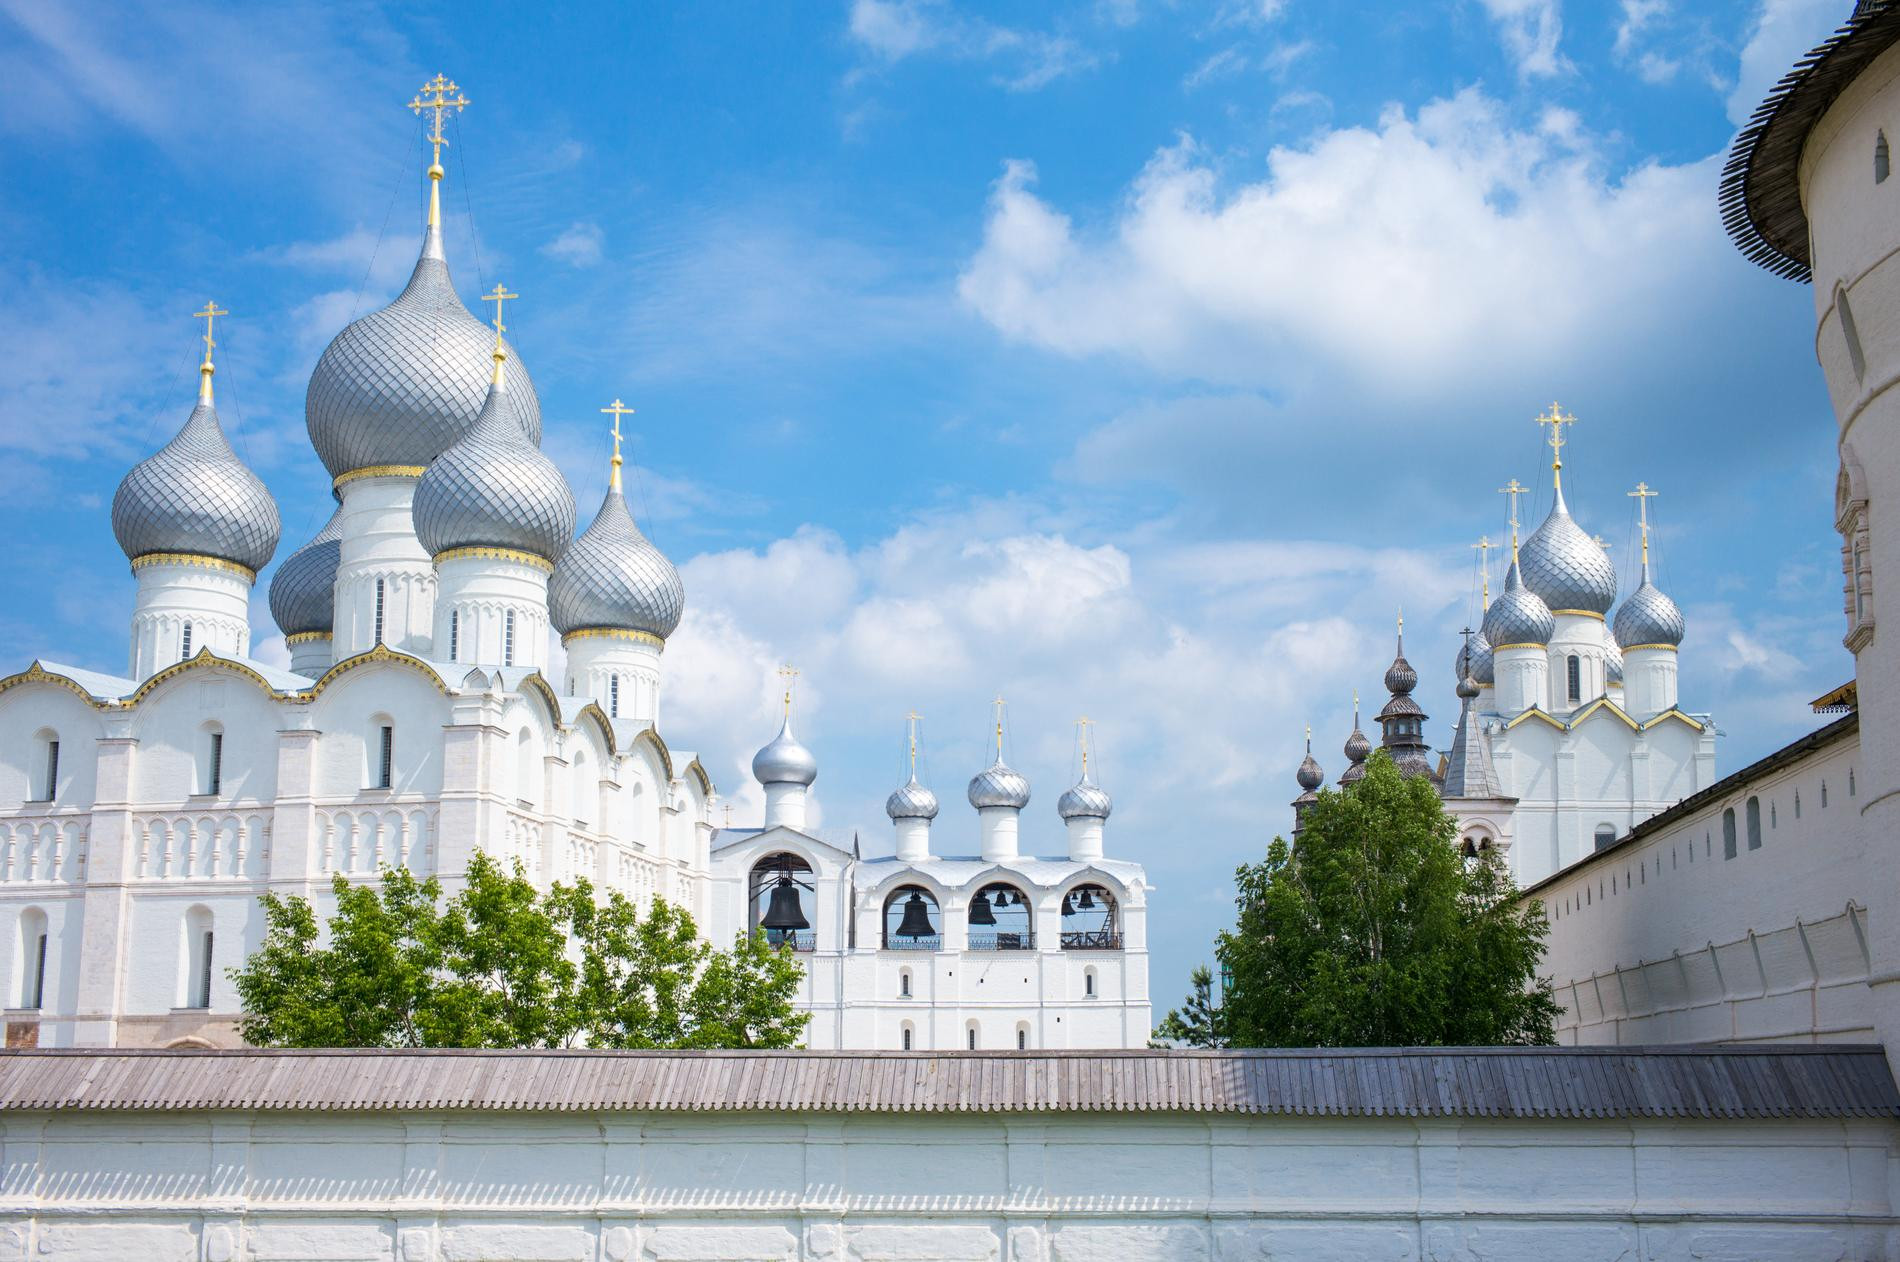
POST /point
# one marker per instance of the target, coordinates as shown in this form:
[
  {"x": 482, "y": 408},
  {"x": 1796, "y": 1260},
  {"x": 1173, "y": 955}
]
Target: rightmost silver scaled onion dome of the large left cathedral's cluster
[{"x": 615, "y": 579}]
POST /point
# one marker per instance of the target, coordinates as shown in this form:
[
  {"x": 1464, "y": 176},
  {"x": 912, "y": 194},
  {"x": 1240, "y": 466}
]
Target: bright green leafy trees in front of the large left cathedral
[{"x": 506, "y": 966}]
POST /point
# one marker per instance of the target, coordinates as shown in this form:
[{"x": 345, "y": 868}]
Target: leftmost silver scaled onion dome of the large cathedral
[{"x": 197, "y": 497}]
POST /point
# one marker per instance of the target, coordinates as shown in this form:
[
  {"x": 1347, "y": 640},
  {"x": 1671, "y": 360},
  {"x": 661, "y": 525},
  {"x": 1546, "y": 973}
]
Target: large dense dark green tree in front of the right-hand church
[{"x": 1373, "y": 930}]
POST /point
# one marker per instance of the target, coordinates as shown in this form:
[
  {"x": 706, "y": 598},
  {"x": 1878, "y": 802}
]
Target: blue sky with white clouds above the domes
[{"x": 1130, "y": 360}]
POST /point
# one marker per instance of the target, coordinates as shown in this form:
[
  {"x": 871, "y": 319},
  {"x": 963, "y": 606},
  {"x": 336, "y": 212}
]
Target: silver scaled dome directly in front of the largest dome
[{"x": 495, "y": 489}]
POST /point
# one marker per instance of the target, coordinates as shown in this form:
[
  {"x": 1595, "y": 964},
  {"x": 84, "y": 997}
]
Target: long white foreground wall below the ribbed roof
[{"x": 491, "y": 1187}]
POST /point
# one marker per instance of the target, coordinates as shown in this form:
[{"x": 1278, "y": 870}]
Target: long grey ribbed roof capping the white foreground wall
[{"x": 1418, "y": 1082}]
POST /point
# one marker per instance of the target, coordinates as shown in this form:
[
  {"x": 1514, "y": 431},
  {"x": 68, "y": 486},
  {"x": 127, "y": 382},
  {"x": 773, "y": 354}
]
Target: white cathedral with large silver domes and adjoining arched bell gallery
[{"x": 143, "y": 814}]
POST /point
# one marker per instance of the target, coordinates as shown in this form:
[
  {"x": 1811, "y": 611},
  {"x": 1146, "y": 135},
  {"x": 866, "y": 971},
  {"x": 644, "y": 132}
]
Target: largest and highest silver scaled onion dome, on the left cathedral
[{"x": 402, "y": 385}]
